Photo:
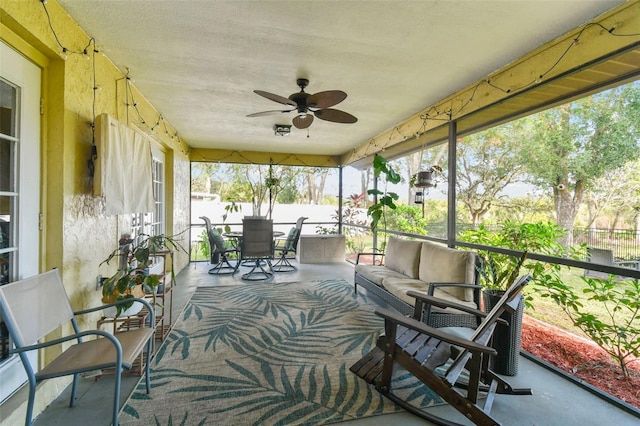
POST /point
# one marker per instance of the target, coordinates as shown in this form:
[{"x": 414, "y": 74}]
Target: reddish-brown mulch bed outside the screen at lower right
[{"x": 581, "y": 358}]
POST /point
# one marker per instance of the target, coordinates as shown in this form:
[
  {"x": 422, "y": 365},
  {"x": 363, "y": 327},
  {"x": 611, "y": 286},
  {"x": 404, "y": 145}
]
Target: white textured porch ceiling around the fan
[{"x": 199, "y": 61}]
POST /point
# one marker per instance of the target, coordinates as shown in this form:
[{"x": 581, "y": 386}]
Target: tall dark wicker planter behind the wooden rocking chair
[{"x": 506, "y": 339}]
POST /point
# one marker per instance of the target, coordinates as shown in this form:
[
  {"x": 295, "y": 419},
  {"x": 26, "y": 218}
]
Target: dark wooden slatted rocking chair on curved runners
[{"x": 420, "y": 349}]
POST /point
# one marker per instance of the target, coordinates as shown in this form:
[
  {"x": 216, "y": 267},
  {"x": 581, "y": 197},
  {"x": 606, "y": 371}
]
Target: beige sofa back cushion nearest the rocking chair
[{"x": 443, "y": 264}]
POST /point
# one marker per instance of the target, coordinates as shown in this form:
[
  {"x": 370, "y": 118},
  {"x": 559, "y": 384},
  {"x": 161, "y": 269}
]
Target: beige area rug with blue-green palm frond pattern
[{"x": 268, "y": 354}]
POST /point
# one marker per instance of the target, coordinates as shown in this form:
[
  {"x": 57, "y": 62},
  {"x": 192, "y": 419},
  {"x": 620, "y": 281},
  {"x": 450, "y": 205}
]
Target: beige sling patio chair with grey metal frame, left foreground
[{"x": 36, "y": 306}]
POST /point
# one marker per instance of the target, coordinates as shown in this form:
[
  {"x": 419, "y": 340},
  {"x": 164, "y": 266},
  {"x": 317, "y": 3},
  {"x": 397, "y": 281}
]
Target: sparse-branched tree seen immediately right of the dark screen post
[{"x": 486, "y": 163}]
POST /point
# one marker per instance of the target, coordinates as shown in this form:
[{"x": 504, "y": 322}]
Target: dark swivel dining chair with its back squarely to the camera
[{"x": 256, "y": 248}]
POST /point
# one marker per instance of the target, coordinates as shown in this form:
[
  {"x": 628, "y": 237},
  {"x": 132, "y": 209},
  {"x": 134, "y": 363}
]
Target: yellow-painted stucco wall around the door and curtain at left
[{"x": 77, "y": 234}]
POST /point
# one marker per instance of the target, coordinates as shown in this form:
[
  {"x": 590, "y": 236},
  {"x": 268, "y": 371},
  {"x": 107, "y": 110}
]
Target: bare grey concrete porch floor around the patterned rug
[{"x": 555, "y": 400}]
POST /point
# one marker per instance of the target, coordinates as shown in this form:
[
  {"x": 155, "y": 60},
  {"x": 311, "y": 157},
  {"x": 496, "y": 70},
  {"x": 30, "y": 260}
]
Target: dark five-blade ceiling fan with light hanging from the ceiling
[{"x": 308, "y": 105}]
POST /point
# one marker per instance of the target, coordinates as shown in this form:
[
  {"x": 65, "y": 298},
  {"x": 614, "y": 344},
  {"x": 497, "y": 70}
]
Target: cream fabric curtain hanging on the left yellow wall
[{"x": 123, "y": 171}]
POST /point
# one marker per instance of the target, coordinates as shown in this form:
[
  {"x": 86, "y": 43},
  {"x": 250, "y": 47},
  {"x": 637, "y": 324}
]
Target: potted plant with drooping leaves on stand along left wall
[{"x": 132, "y": 279}]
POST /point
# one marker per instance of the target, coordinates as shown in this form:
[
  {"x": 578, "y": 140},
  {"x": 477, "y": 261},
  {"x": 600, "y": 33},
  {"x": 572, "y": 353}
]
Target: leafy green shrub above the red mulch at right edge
[{"x": 617, "y": 328}]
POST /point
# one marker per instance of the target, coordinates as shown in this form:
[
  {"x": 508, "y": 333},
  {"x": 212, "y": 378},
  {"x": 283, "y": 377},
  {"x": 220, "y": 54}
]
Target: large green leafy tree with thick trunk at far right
[{"x": 573, "y": 145}]
